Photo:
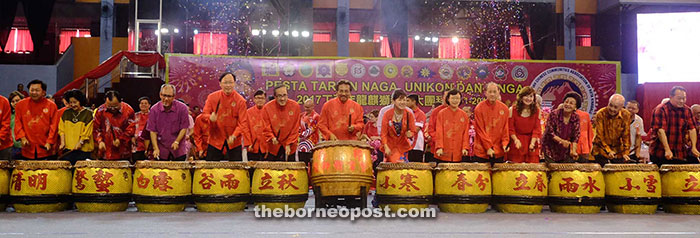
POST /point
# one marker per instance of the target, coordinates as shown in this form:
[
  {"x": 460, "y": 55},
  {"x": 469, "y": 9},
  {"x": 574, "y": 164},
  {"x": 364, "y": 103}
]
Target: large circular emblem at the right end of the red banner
[{"x": 555, "y": 82}]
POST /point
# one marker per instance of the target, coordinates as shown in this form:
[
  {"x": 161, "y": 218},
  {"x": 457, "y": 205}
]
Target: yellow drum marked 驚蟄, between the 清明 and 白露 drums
[{"x": 101, "y": 186}]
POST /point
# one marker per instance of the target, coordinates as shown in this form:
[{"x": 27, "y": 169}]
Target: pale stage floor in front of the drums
[{"x": 244, "y": 224}]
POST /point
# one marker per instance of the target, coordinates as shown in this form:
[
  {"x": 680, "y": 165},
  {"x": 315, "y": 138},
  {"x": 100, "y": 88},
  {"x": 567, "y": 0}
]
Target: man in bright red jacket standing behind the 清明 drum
[{"x": 34, "y": 123}]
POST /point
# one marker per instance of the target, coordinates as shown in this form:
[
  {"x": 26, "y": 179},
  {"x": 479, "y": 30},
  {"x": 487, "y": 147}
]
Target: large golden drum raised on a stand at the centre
[{"x": 342, "y": 168}]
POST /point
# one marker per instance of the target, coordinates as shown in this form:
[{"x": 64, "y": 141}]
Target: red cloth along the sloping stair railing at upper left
[{"x": 140, "y": 59}]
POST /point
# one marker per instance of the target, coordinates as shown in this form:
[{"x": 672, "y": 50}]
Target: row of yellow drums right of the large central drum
[{"x": 526, "y": 188}]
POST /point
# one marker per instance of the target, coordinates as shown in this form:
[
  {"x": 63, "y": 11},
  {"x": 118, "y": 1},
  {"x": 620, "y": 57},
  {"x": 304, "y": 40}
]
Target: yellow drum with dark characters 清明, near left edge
[{"x": 40, "y": 186}]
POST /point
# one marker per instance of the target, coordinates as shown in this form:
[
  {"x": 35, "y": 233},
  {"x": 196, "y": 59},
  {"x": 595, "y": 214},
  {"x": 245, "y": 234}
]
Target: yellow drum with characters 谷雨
[{"x": 221, "y": 186}]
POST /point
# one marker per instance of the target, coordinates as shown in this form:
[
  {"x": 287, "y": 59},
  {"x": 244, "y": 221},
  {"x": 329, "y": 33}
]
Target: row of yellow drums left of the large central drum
[{"x": 155, "y": 186}]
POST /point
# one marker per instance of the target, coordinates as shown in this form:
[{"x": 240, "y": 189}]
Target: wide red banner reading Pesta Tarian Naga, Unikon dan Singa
[{"x": 374, "y": 79}]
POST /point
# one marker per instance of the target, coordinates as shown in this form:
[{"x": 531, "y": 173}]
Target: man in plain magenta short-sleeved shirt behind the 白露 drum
[{"x": 168, "y": 121}]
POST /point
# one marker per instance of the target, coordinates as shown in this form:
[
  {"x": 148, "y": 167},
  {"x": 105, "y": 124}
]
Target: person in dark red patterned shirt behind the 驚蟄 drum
[{"x": 114, "y": 128}]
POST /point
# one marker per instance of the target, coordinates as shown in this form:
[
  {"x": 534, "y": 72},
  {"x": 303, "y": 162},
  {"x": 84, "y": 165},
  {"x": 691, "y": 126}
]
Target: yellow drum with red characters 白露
[{"x": 162, "y": 186}]
